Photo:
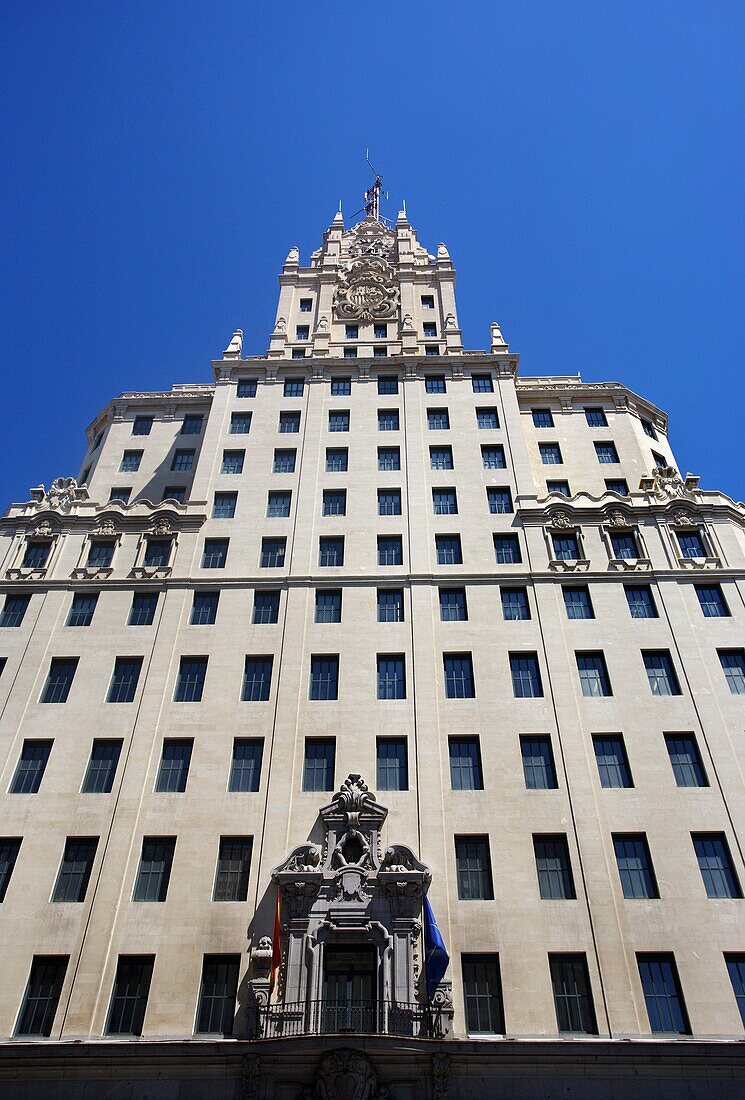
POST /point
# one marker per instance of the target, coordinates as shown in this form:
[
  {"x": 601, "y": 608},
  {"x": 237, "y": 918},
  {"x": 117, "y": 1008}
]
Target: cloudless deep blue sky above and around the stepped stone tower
[{"x": 584, "y": 162}]
